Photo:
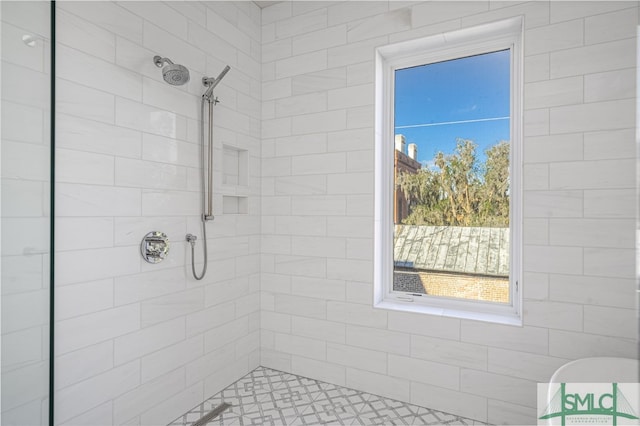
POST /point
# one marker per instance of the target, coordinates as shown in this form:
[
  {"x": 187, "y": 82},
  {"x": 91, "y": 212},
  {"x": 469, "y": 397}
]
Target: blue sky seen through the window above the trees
[{"x": 473, "y": 90}]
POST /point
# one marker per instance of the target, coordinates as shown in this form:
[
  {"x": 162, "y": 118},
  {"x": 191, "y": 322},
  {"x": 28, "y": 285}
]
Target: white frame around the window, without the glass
[{"x": 492, "y": 37}]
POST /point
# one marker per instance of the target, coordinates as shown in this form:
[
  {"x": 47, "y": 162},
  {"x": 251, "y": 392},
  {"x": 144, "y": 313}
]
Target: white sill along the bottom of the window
[{"x": 506, "y": 317}]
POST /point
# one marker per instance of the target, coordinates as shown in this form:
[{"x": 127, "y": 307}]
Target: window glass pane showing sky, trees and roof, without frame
[{"x": 451, "y": 171}]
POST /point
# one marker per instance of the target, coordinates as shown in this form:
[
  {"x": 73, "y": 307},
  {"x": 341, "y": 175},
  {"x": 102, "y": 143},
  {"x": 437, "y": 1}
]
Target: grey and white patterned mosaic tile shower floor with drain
[{"x": 271, "y": 397}]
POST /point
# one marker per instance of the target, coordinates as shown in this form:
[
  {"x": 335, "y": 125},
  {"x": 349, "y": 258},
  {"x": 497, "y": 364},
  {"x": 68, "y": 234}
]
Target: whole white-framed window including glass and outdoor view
[{"x": 448, "y": 165}]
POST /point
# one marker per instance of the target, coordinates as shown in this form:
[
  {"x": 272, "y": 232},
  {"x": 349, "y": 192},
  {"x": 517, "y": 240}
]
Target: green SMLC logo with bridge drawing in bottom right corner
[{"x": 586, "y": 404}]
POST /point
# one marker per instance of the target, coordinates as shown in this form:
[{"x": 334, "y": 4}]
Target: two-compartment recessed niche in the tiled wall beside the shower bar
[{"x": 235, "y": 178}]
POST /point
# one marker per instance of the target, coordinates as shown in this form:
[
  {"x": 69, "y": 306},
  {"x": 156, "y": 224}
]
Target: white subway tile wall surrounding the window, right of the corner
[{"x": 578, "y": 205}]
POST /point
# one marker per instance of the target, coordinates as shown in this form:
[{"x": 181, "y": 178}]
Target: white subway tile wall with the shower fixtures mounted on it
[{"x": 139, "y": 343}]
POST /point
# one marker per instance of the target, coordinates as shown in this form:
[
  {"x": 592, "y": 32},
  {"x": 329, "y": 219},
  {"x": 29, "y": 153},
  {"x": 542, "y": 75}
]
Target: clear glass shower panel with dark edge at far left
[{"x": 25, "y": 151}]
